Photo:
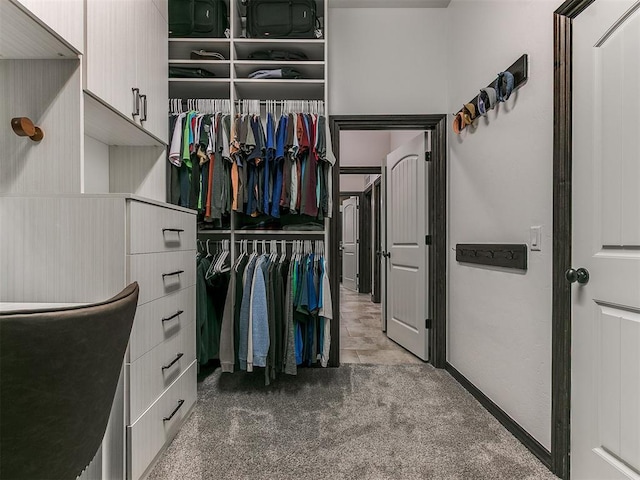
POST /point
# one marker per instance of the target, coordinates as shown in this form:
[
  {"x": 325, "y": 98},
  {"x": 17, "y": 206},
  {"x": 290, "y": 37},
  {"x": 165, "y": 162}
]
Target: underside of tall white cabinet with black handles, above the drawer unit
[{"x": 107, "y": 125}]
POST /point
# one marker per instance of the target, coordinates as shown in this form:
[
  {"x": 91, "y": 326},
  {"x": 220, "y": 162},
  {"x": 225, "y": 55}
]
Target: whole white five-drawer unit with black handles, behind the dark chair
[{"x": 102, "y": 243}]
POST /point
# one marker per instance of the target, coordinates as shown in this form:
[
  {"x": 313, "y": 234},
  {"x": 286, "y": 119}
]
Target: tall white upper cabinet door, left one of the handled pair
[{"x": 112, "y": 30}]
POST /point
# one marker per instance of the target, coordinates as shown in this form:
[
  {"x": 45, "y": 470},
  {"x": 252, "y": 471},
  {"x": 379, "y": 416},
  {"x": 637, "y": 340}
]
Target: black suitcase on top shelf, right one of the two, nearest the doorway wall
[{"x": 281, "y": 18}]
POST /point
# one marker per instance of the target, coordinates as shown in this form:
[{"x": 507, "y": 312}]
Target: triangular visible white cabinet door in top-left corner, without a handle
[{"x": 63, "y": 16}]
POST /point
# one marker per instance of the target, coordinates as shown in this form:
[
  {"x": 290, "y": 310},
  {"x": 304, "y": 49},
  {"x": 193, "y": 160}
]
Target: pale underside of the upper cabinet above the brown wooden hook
[{"x": 22, "y": 36}]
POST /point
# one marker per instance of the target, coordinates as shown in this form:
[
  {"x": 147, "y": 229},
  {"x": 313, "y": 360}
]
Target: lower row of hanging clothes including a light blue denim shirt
[{"x": 276, "y": 311}]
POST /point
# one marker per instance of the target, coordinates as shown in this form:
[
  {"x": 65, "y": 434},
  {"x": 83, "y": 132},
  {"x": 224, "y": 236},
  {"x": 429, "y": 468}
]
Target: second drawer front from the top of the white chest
[{"x": 162, "y": 273}]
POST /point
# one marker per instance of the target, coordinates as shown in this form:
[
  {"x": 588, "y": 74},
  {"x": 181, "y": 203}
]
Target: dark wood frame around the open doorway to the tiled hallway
[{"x": 438, "y": 218}]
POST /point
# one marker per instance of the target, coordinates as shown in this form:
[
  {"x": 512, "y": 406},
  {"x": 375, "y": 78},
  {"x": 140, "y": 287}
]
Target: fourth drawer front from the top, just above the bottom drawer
[{"x": 152, "y": 373}]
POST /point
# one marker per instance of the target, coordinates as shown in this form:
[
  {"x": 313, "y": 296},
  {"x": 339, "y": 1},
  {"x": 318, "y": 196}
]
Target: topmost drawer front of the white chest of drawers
[{"x": 159, "y": 229}]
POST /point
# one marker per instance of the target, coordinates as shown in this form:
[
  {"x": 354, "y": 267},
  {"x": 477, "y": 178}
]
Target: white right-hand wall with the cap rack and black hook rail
[{"x": 500, "y": 184}]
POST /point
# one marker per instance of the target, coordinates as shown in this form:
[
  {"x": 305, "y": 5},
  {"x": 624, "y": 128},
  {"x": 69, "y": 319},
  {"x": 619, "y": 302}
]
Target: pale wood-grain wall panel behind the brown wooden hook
[{"x": 49, "y": 93}]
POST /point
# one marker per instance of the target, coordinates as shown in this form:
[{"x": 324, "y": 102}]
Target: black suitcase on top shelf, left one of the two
[{"x": 198, "y": 18}]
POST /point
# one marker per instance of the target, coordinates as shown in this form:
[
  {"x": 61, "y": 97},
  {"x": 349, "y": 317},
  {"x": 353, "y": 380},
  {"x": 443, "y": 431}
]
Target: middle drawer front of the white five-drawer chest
[{"x": 161, "y": 320}]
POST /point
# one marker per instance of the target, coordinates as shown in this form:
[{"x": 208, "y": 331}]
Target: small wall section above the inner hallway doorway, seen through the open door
[{"x": 363, "y": 148}]
